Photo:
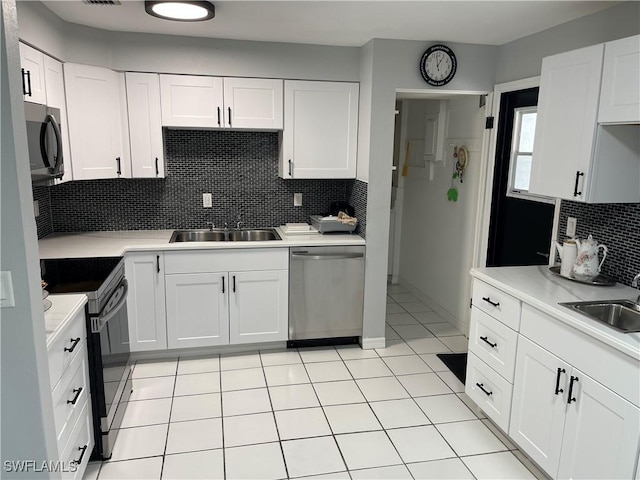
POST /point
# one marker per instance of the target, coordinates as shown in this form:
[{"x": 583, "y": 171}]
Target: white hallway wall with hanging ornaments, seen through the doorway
[{"x": 437, "y": 235}]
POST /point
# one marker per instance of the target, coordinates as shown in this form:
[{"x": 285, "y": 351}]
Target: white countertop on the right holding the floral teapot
[{"x": 538, "y": 287}]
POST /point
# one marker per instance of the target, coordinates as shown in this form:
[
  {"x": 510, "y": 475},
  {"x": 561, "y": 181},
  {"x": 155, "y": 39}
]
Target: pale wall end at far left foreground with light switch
[{"x": 25, "y": 404}]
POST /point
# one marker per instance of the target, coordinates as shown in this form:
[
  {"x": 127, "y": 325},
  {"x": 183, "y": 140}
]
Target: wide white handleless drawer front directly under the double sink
[{"x": 207, "y": 261}]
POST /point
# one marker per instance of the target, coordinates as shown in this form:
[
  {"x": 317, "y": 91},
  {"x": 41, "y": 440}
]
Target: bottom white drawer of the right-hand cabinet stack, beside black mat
[{"x": 495, "y": 401}]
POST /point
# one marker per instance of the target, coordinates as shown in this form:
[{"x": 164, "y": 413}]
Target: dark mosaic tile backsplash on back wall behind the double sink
[{"x": 240, "y": 169}]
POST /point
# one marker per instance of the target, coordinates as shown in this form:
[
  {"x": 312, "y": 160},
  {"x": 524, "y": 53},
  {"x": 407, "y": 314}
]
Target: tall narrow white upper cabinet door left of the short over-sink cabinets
[{"x": 145, "y": 125}]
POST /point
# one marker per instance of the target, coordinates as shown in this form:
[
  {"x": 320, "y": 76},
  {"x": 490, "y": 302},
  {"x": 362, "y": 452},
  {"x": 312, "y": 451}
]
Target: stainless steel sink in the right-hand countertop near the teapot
[{"x": 623, "y": 315}]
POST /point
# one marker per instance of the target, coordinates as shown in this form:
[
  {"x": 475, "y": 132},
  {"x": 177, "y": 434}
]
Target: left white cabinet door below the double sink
[{"x": 197, "y": 310}]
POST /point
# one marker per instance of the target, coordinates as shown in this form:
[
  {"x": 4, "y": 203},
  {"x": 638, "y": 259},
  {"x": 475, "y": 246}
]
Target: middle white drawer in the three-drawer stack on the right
[{"x": 493, "y": 342}]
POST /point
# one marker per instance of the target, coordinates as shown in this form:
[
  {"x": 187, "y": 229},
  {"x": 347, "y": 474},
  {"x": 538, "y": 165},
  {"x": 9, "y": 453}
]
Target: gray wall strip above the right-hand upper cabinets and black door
[{"x": 522, "y": 58}]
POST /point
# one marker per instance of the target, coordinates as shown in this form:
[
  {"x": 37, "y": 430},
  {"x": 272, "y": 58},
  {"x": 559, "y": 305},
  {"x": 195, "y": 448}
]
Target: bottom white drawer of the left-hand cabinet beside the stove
[{"x": 76, "y": 453}]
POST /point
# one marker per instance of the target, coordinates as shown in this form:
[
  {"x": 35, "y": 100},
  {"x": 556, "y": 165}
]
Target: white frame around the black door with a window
[{"x": 483, "y": 213}]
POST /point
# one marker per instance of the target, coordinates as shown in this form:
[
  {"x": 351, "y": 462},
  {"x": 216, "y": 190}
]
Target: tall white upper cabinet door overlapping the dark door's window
[{"x": 566, "y": 123}]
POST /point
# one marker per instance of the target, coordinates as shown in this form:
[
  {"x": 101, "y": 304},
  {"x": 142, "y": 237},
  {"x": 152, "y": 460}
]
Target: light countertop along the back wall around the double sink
[{"x": 115, "y": 244}]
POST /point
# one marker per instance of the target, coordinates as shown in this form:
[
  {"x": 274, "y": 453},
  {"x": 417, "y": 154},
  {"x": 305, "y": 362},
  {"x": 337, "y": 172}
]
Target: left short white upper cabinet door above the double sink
[{"x": 191, "y": 101}]
